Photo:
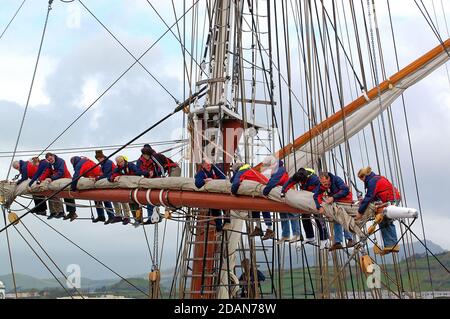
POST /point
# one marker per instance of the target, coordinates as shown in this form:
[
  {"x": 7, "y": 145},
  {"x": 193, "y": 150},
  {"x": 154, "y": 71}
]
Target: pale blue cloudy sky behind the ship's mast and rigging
[{"x": 79, "y": 60}]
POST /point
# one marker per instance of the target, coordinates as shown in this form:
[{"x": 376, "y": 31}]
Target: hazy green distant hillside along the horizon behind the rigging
[{"x": 441, "y": 279}]
